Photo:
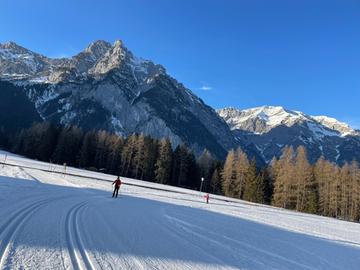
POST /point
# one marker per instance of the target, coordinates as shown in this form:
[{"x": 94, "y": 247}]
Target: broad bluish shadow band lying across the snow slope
[{"x": 156, "y": 232}]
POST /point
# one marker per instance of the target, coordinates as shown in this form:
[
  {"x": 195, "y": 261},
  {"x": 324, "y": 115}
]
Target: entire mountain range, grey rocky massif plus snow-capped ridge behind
[{"x": 107, "y": 87}]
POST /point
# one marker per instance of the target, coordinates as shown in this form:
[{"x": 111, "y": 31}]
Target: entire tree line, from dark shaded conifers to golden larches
[{"x": 290, "y": 181}]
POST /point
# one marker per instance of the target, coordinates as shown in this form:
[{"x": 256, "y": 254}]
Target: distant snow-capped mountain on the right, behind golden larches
[{"x": 268, "y": 129}]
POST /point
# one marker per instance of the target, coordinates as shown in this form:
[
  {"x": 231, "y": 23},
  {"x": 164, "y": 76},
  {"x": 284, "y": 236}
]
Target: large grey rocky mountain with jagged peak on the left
[{"x": 107, "y": 87}]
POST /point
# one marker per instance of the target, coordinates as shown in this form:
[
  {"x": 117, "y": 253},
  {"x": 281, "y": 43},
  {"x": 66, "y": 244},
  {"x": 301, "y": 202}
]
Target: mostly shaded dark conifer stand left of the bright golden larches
[{"x": 137, "y": 156}]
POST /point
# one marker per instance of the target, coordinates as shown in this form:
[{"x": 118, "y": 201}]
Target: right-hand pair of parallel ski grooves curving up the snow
[{"x": 78, "y": 255}]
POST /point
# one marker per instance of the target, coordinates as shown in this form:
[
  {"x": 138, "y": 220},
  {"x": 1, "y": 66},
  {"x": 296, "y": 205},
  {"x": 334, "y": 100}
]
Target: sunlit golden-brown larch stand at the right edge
[{"x": 291, "y": 182}]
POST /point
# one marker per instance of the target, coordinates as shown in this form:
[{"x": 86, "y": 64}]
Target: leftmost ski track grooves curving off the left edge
[{"x": 11, "y": 227}]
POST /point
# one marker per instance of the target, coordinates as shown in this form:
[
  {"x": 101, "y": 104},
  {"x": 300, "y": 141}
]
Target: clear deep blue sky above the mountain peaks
[{"x": 302, "y": 55}]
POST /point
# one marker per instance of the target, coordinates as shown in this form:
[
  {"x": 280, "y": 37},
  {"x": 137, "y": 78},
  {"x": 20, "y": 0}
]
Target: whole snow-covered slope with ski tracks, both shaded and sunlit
[{"x": 52, "y": 221}]
